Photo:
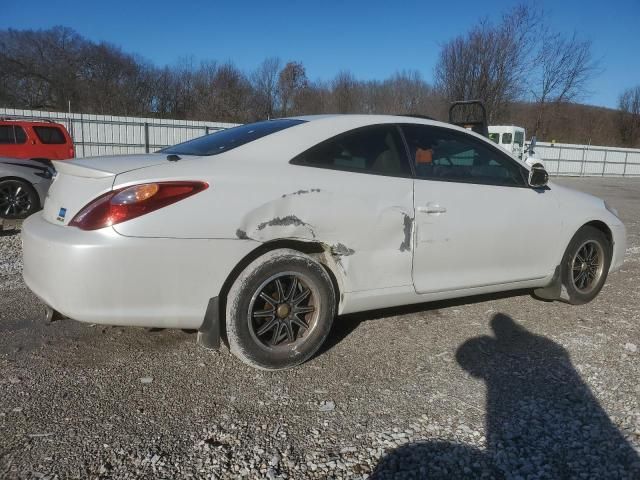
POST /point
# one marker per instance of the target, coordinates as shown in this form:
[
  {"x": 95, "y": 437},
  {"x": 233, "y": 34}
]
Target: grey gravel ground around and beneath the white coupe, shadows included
[{"x": 494, "y": 387}]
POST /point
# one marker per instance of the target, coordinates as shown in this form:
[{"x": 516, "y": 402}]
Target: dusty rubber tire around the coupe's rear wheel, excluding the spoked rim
[{"x": 241, "y": 341}]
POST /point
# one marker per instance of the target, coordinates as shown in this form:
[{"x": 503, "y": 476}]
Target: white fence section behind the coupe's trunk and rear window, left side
[{"x": 110, "y": 135}]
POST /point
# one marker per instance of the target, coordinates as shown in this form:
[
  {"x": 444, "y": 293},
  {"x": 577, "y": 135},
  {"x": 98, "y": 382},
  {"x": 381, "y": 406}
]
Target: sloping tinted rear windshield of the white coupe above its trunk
[{"x": 226, "y": 140}]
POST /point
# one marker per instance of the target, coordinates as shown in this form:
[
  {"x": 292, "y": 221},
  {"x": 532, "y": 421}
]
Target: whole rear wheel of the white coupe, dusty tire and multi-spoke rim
[{"x": 267, "y": 333}]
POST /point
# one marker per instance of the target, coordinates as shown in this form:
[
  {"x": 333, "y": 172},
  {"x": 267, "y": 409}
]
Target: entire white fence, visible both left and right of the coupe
[{"x": 111, "y": 135}]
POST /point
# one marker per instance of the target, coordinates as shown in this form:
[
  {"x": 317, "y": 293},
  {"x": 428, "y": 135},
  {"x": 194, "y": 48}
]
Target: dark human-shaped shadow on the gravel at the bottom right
[{"x": 542, "y": 420}]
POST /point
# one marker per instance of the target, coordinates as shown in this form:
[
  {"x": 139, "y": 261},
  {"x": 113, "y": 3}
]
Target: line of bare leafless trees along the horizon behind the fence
[{"x": 525, "y": 73}]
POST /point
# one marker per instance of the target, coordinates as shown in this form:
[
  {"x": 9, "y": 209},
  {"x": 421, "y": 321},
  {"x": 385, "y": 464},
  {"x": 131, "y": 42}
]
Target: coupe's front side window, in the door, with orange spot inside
[{"x": 443, "y": 154}]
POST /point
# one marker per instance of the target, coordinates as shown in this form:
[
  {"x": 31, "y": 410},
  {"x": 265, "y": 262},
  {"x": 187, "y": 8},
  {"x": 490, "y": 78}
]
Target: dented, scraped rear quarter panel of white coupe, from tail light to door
[{"x": 364, "y": 221}]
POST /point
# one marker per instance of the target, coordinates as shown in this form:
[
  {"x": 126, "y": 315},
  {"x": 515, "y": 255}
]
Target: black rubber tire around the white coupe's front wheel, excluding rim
[{"x": 584, "y": 234}]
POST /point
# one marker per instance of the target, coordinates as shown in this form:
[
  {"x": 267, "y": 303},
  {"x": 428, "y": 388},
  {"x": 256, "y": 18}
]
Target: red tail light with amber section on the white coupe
[{"x": 126, "y": 203}]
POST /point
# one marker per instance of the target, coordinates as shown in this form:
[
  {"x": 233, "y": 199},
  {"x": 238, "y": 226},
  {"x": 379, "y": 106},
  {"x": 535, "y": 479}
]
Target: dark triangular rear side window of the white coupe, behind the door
[{"x": 376, "y": 149}]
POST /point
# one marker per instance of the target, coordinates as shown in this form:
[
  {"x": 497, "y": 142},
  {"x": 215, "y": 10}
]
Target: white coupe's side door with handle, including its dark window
[{"x": 477, "y": 221}]
